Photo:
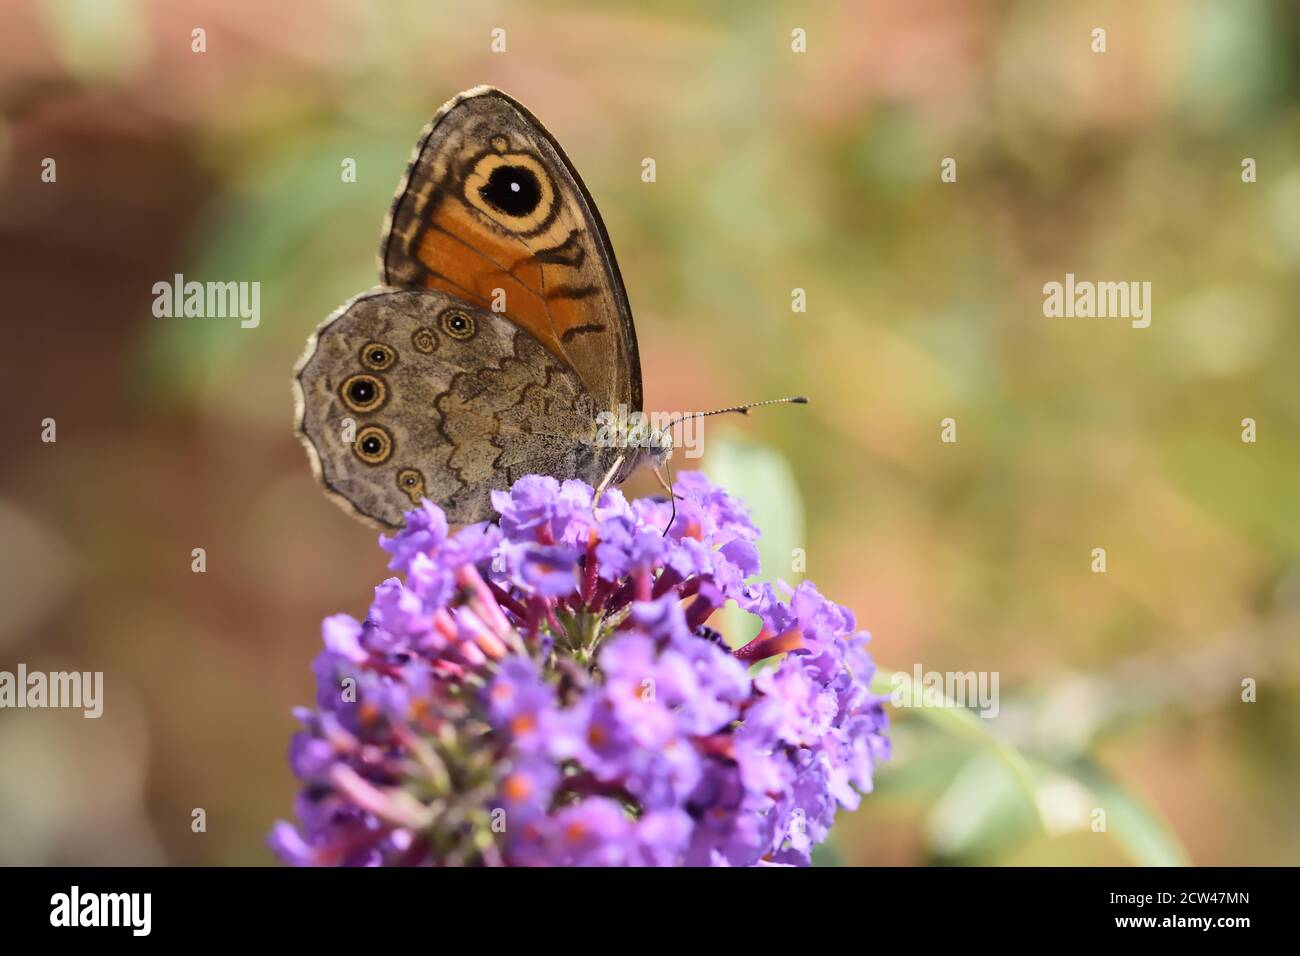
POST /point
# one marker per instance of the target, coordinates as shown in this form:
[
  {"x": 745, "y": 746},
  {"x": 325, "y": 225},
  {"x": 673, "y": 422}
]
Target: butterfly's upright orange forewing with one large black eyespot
[{"x": 492, "y": 213}]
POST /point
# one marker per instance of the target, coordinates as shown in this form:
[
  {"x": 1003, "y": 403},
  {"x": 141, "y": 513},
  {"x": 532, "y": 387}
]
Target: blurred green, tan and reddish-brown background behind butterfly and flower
[{"x": 774, "y": 171}]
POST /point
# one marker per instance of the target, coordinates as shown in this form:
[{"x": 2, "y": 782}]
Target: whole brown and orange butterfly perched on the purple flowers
[{"x": 499, "y": 343}]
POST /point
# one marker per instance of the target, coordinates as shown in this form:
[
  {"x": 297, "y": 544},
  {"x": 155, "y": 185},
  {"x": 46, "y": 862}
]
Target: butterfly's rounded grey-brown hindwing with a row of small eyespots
[{"x": 405, "y": 395}]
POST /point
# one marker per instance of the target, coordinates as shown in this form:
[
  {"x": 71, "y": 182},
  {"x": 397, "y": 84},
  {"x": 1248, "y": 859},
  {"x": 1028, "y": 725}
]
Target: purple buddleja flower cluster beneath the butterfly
[{"x": 547, "y": 690}]
